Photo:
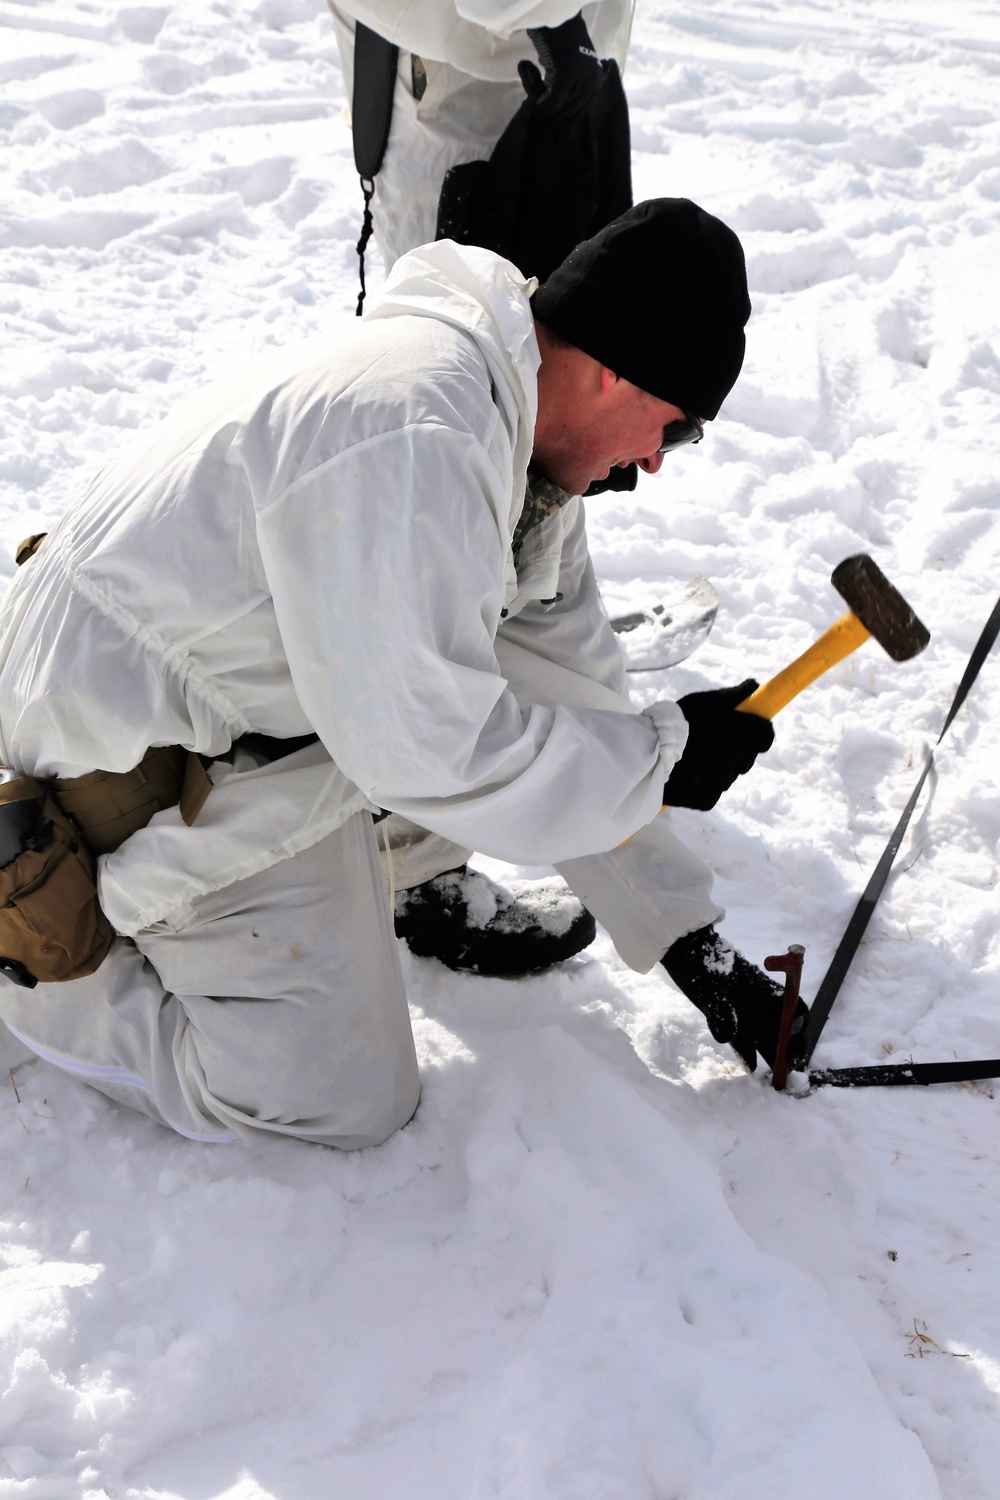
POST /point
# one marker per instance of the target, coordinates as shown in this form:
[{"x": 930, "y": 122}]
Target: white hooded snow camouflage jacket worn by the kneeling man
[{"x": 323, "y": 542}]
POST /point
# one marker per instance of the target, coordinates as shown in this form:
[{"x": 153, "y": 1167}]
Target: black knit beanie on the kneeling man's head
[{"x": 660, "y": 298}]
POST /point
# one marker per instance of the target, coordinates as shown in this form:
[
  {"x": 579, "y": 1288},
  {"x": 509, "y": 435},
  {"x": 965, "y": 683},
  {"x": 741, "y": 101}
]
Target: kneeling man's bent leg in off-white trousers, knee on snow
[{"x": 278, "y": 1006}]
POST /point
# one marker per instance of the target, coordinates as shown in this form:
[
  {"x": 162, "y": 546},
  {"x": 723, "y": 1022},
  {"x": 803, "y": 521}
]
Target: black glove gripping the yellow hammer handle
[{"x": 722, "y": 746}]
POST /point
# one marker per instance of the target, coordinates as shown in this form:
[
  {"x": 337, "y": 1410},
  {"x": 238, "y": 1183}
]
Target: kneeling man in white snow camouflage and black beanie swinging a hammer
[{"x": 322, "y": 583}]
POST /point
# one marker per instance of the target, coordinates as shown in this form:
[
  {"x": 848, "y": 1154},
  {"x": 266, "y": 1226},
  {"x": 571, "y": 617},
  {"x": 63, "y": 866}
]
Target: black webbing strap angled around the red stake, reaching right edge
[{"x": 848, "y": 947}]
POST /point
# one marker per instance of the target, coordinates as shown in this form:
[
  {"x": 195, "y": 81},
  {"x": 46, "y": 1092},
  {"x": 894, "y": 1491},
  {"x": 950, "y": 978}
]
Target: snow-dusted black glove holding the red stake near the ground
[{"x": 740, "y": 1003}]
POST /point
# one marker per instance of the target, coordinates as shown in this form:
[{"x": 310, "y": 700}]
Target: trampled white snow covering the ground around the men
[{"x": 602, "y": 1264}]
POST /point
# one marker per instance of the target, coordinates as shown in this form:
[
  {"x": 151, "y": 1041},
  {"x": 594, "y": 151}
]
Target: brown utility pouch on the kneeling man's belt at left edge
[{"x": 50, "y": 917}]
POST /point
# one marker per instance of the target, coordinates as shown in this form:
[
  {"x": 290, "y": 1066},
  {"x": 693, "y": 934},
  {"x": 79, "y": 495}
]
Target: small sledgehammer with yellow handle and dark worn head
[{"x": 875, "y": 610}]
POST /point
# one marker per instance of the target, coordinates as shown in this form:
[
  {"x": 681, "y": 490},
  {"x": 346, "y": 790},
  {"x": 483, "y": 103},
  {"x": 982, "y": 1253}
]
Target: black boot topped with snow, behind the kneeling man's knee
[{"x": 469, "y": 922}]
